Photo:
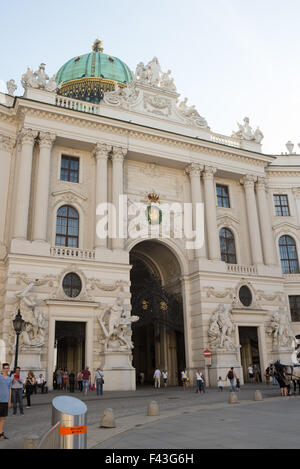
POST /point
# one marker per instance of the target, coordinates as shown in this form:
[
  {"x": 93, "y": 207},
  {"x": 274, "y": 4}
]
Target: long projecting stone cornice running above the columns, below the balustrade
[{"x": 133, "y": 130}]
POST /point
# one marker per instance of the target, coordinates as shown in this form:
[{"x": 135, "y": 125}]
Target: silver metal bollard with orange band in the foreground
[{"x": 71, "y": 415}]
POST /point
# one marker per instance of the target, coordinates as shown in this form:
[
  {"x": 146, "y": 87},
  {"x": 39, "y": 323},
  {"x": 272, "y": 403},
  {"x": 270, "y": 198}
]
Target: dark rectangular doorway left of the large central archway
[{"x": 70, "y": 343}]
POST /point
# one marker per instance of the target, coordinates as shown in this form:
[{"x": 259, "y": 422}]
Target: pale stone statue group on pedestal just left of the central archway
[{"x": 116, "y": 327}]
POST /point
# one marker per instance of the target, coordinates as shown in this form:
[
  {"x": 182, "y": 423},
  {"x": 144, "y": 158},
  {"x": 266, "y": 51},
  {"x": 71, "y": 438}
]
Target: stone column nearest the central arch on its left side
[{"x": 118, "y": 155}]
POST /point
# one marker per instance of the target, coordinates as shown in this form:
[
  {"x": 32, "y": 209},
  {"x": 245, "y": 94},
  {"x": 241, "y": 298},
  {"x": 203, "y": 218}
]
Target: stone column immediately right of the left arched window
[{"x": 101, "y": 154}]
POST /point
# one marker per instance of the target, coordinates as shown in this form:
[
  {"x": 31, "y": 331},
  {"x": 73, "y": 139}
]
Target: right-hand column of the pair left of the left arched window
[{"x": 42, "y": 187}]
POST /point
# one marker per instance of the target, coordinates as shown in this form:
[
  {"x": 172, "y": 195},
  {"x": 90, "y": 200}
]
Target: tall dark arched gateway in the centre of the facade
[{"x": 156, "y": 298}]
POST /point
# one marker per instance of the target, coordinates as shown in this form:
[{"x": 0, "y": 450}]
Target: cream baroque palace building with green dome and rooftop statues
[{"x": 96, "y": 134}]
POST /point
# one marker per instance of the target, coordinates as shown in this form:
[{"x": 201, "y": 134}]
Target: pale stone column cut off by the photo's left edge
[{"x": 6, "y": 146}]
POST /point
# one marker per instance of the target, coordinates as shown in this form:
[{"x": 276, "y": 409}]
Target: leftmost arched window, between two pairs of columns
[{"x": 67, "y": 227}]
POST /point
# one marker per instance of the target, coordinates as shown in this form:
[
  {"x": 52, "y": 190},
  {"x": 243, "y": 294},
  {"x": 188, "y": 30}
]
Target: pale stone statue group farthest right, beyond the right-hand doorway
[{"x": 280, "y": 329}]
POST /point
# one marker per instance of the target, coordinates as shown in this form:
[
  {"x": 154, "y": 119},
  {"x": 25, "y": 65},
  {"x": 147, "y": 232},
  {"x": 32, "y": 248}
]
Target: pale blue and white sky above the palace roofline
[{"x": 231, "y": 58}]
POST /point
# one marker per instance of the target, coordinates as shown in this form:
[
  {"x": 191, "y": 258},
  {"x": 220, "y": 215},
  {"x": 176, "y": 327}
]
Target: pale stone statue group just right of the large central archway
[{"x": 221, "y": 328}]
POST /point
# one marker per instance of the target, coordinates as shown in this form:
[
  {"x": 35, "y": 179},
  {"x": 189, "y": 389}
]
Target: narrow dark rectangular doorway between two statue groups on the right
[{"x": 250, "y": 351}]
